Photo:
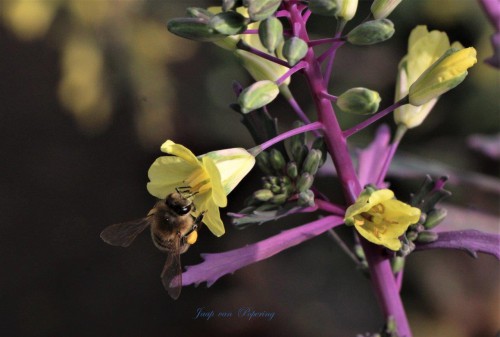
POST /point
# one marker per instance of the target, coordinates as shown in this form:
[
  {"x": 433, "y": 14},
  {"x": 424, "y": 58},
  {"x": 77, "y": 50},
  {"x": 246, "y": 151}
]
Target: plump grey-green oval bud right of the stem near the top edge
[{"x": 371, "y": 32}]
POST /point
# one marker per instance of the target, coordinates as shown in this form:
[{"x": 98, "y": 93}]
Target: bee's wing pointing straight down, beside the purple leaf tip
[{"x": 171, "y": 276}]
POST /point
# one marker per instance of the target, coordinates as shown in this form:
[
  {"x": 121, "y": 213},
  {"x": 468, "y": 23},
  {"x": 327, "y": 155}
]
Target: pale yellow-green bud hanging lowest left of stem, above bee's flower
[{"x": 258, "y": 95}]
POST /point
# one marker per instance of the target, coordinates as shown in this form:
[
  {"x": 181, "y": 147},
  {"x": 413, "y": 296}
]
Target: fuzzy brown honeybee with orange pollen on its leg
[{"x": 173, "y": 230}]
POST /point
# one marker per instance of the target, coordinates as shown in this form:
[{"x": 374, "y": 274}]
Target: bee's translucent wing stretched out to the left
[{"x": 123, "y": 234}]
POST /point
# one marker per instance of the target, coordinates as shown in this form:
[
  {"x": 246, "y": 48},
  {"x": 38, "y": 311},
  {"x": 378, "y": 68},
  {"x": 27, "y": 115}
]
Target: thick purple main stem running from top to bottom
[{"x": 379, "y": 264}]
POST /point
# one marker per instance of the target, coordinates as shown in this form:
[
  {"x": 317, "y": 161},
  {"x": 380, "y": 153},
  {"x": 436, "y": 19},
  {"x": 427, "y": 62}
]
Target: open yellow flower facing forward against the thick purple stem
[{"x": 380, "y": 218}]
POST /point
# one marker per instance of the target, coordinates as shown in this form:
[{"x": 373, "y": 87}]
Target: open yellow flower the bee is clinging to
[{"x": 211, "y": 177}]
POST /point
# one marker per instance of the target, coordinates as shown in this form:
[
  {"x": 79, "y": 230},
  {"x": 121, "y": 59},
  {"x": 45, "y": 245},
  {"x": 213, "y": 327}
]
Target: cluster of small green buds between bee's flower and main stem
[{"x": 288, "y": 179}]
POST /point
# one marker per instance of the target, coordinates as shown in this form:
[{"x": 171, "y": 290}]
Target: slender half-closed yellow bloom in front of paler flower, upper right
[{"x": 443, "y": 75}]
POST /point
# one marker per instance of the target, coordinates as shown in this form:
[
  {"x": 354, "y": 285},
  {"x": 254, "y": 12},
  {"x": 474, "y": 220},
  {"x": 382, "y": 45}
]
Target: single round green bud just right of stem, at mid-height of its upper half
[{"x": 359, "y": 101}]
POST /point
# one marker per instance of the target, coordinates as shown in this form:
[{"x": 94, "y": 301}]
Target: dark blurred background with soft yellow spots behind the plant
[{"x": 91, "y": 89}]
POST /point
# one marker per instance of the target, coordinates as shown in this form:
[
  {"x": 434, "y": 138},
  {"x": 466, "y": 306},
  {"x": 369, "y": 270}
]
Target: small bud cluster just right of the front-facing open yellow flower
[{"x": 430, "y": 193}]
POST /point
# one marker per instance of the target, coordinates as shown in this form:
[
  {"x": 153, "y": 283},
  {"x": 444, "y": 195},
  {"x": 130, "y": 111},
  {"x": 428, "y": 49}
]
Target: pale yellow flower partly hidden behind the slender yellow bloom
[{"x": 424, "y": 48}]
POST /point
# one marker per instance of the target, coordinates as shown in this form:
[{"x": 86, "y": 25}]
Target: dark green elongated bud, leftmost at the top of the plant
[{"x": 193, "y": 29}]
